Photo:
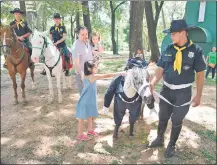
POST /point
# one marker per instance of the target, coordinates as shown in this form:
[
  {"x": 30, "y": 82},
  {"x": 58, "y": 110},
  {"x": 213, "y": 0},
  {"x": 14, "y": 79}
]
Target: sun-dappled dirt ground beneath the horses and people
[{"x": 41, "y": 133}]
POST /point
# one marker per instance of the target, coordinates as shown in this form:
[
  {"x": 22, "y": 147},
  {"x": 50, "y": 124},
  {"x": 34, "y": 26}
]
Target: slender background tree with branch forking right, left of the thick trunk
[{"x": 113, "y": 9}]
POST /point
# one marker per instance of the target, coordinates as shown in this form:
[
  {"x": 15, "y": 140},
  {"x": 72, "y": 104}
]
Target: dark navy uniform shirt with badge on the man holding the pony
[{"x": 192, "y": 60}]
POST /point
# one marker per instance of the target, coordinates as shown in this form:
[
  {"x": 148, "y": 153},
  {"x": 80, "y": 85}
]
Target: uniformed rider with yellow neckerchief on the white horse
[{"x": 58, "y": 36}]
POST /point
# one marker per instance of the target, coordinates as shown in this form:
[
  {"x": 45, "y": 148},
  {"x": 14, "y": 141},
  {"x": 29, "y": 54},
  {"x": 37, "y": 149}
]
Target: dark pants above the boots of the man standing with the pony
[{"x": 176, "y": 97}]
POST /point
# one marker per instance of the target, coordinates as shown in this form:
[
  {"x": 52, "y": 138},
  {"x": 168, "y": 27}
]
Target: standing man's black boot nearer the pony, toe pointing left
[{"x": 159, "y": 141}]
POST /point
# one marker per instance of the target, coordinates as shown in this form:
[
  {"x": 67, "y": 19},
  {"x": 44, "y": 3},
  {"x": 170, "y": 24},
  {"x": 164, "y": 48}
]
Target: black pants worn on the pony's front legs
[{"x": 120, "y": 108}]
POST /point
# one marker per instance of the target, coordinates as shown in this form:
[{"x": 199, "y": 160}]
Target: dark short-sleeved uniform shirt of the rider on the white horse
[{"x": 57, "y": 35}]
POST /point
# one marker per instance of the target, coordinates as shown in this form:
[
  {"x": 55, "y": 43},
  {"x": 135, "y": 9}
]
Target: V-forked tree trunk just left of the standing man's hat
[{"x": 152, "y": 26}]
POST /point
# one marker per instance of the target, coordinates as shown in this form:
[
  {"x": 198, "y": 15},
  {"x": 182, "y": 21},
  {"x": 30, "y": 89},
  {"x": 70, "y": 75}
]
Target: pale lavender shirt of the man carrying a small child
[{"x": 83, "y": 51}]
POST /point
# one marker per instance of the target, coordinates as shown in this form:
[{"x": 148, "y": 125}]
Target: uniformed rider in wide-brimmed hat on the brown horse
[{"x": 22, "y": 31}]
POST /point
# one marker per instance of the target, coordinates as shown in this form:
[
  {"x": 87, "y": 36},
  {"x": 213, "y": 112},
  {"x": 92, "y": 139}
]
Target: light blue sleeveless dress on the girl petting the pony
[{"x": 87, "y": 104}]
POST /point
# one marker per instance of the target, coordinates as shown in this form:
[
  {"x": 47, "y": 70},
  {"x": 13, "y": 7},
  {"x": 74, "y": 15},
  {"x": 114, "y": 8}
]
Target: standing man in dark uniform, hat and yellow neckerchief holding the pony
[{"x": 177, "y": 64}]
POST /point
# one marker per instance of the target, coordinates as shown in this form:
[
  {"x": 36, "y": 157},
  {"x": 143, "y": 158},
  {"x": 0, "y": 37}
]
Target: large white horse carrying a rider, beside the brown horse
[{"x": 44, "y": 51}]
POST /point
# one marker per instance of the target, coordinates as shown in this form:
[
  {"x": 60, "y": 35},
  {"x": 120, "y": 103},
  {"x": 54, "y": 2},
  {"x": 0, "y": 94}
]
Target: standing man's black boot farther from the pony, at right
[{"x": 170, "y": 150}]
